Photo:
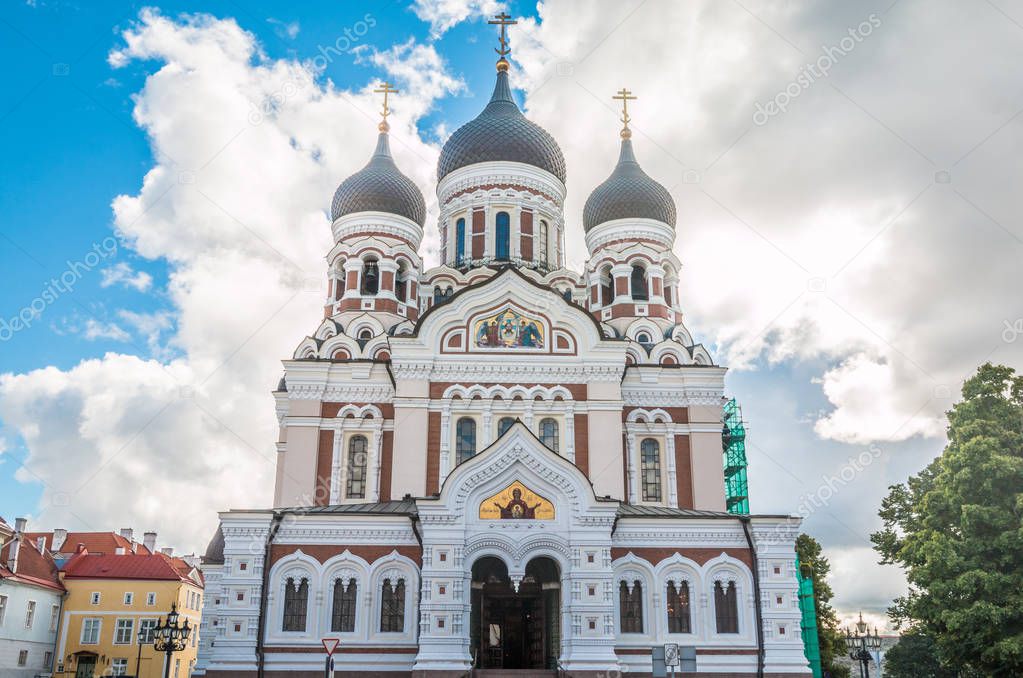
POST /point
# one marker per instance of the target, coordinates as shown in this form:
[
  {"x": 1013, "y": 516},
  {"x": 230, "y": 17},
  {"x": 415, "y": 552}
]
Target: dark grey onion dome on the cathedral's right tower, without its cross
[{"x": 629, "y": 194}]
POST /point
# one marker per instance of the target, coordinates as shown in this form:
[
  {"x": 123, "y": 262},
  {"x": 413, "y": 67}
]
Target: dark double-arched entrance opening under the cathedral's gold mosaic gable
[{"x": 516, "y": 629}]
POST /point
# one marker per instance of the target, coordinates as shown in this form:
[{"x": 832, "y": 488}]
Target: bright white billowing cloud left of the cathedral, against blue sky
[{"x": 248, "y": 153}]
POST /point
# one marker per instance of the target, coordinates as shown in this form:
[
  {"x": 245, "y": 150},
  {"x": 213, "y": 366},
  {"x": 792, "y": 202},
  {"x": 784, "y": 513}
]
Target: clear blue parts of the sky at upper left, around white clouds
[{"x": 72, "y": 146}]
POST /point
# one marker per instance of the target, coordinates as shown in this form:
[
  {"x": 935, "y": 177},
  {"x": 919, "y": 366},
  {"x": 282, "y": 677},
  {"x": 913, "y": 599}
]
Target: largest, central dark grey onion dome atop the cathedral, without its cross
[{"x": 502, "y": 133}]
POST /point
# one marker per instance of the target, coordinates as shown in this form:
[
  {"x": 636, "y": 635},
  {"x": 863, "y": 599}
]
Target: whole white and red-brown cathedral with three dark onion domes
[{"x": 501, "y": 465}]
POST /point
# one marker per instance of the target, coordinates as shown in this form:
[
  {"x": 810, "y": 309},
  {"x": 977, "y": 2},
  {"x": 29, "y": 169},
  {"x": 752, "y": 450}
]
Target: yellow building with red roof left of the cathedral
[{"x": 113, "y": 597}]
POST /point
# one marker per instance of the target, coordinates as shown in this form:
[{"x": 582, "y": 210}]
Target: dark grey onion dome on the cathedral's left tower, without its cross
[{"x": 380, "y": 187}]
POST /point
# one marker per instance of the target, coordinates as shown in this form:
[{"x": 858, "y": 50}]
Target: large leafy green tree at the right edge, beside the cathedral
[{"x": 956, "y": 530}]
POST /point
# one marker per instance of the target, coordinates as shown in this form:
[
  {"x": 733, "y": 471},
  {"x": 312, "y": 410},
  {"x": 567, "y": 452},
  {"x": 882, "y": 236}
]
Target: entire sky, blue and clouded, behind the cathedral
[{"x": 852, "y": 259}]
